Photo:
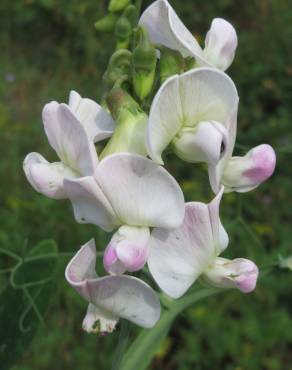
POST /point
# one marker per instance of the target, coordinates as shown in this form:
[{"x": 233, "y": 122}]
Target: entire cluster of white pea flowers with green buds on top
[{"x": 163, "y": 92}]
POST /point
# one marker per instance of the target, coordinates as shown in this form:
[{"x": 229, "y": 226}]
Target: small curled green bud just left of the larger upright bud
[{"x": 119, "y": 66}]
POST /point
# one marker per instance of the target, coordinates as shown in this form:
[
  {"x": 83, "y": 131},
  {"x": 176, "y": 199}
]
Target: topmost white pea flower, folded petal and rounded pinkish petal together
[{"x": 165, "y": 28}]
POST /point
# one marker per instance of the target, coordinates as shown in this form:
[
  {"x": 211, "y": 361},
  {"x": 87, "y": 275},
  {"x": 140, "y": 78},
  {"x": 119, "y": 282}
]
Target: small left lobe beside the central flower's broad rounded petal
[{"x": 89, "y": 203}]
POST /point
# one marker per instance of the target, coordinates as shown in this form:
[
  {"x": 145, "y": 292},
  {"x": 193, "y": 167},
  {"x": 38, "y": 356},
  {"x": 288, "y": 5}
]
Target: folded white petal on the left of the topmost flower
[{"x": 166, "y": 28}]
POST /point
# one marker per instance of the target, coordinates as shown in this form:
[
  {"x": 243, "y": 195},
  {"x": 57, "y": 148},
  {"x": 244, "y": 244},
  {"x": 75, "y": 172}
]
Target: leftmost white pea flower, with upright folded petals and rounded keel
[{"x": 71, "y": 130}]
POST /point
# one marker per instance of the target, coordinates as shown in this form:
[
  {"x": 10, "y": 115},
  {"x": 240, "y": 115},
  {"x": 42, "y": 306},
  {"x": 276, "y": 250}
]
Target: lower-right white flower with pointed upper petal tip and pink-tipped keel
[{"x": 179, "y": 257}]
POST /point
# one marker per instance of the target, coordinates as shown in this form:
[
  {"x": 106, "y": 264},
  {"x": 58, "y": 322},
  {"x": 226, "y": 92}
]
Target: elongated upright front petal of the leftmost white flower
[{"x": 69, "y": 139}]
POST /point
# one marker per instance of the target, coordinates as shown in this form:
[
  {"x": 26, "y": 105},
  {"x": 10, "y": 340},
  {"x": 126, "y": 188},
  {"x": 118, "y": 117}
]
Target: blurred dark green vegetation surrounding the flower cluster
[{"x": 49, "y": 47}]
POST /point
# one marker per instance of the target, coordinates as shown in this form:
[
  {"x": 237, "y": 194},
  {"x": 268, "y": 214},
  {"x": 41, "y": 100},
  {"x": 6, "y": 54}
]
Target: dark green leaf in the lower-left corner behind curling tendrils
[{"x": 22, "y": 309}]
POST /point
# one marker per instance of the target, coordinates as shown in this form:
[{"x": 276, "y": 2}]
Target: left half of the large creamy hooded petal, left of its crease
[{"x": 165, "y": 118}]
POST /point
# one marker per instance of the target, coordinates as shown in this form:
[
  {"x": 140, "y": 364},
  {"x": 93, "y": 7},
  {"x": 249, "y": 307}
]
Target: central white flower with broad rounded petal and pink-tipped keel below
[{"x": 133, "y": 193}]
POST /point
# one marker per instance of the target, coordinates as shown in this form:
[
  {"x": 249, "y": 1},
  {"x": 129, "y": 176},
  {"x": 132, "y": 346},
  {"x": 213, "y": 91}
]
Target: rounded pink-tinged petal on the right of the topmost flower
[{"x": 220, "y": 44}]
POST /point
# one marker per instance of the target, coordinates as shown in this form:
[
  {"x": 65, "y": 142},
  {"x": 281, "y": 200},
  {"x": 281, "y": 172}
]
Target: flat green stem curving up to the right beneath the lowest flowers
[{"x": 143, "y": 349}]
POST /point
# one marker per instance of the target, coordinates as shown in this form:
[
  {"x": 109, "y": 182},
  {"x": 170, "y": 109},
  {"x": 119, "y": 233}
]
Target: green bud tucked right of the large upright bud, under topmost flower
[{"x": 171, "y": 63}]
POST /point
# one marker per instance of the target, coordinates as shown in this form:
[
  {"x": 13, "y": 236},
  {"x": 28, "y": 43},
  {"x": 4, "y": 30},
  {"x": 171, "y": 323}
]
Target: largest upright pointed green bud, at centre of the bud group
[{"x": 144, "y": 64}]
